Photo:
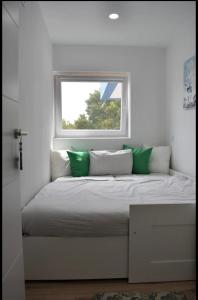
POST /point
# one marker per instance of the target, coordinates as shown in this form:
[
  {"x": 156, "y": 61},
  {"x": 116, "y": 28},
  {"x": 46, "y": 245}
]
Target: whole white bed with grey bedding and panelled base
[{"x": 140, "y": 227}]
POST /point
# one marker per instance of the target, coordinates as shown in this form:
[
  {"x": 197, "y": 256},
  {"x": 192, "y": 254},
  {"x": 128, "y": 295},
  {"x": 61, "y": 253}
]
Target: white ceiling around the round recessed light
[{"x": 141, "y": 23}]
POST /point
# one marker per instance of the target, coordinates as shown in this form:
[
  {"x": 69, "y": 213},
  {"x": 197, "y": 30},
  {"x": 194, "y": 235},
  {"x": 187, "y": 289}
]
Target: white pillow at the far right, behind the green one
[{"x": 160, "y": 159}]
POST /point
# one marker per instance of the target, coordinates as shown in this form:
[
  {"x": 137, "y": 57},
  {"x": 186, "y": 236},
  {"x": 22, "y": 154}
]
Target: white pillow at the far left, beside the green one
[{"x": 60, "y": 165}]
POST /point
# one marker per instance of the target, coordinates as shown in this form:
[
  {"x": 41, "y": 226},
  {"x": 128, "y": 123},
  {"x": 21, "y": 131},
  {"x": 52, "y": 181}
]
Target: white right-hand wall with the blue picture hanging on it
[{"x": 180, "y": 123}]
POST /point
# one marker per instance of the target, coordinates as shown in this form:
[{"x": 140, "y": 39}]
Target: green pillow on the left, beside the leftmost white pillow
[{"x": 79, "y": 163}]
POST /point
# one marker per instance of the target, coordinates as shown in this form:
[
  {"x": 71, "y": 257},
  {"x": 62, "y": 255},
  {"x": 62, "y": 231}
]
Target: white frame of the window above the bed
[{"x": 123, "y": 77}]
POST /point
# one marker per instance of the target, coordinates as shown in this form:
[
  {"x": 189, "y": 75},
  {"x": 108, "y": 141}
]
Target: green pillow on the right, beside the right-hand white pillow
[{"x": 141, "y": 157}]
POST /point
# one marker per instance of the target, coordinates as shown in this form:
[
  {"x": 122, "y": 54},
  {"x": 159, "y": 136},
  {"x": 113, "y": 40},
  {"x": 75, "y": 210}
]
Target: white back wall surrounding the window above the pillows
[{"x": 147, "y": 68}]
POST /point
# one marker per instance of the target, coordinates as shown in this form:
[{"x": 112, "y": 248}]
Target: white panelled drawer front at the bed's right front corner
[{"x": 162, "y": 242}]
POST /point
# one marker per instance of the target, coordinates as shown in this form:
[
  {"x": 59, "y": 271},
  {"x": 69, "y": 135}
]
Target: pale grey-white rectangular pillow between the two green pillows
[{"x": 110, "y": 162}]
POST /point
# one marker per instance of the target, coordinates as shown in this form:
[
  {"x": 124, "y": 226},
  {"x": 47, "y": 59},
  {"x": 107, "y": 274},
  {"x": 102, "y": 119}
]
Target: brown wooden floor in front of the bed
[{"x": 86, "y": 289}]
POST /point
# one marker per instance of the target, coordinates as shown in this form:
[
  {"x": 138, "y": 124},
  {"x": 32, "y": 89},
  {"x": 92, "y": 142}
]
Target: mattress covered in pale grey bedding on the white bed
[{"x": 99, "y": 206}]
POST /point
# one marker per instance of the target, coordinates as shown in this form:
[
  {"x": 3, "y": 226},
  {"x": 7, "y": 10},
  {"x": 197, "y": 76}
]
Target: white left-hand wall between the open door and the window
[{"x": 36, "y": 96}]
